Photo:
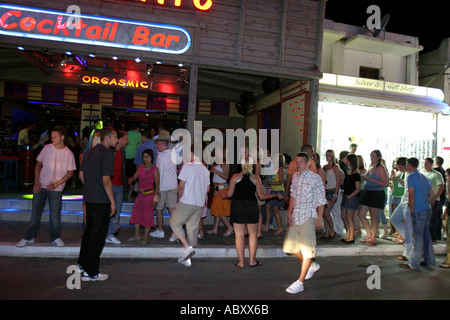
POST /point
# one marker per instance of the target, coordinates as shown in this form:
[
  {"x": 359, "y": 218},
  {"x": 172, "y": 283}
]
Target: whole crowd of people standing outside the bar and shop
[{"x": 336, "y": 198}]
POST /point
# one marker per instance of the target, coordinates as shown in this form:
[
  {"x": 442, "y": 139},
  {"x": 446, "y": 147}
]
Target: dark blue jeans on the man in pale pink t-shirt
[{"x": 54, "y": 204}]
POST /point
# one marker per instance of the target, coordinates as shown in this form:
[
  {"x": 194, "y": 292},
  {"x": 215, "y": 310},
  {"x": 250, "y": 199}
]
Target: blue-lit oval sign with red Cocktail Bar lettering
[{"x": 92, "y": 30}]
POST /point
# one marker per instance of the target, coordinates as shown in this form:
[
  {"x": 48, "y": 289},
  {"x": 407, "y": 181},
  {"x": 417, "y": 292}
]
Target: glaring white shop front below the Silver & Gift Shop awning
[{"x": 394, "y": 132}]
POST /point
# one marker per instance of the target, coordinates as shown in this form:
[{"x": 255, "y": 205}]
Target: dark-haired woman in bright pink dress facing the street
[{"x": 144, "y": 206}]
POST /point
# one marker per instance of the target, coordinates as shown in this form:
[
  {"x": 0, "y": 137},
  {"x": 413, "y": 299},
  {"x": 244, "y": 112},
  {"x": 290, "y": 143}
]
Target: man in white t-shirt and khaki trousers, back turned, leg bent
[{"x": 192, "y": 190}]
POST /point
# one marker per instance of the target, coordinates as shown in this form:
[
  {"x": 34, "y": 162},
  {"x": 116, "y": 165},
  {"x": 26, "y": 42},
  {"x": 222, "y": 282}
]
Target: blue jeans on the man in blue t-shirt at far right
[{"x": 421, "y": 240}]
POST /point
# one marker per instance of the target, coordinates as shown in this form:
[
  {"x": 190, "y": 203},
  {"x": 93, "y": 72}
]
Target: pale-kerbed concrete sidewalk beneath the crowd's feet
[{"x": 211, "y": 246}]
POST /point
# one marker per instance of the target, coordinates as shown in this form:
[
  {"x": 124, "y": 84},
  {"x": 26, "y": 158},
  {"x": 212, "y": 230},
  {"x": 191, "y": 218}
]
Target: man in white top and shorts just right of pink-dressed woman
[{"x": 168, "y": 185}]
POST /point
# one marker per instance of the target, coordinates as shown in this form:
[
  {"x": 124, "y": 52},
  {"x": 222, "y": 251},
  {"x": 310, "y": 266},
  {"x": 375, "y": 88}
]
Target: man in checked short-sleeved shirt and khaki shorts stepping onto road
[{"x": 304, "y": 216}]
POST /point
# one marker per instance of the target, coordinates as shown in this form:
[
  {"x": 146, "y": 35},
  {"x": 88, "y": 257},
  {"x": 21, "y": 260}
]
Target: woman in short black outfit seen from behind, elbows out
[{"x": 245, "y": 211}]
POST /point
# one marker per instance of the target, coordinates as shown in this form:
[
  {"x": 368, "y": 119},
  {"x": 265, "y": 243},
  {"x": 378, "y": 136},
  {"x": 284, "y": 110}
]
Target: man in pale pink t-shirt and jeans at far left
[{"x": 54, "y": 166}]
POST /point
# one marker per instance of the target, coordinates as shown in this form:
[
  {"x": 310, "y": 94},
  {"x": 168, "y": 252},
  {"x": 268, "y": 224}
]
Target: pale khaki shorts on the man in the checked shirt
[{"x": 302, "y": 239}]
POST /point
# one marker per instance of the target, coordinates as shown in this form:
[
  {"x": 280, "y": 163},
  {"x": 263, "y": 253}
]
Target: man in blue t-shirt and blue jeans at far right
[{"x": 420, "y": 195}]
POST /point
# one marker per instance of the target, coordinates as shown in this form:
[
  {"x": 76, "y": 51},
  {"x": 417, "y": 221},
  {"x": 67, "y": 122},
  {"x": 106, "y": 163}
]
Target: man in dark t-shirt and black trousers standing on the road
[{"x": 96, "y": 171}]
